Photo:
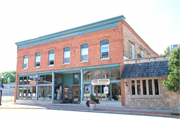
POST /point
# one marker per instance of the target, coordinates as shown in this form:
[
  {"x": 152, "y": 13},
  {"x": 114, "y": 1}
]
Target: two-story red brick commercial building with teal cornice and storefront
[{"x": 69, "y": 65}]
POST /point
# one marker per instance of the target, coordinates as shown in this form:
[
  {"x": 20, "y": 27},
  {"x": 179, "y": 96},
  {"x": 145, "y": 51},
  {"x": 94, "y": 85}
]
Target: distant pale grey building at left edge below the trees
[{"x": 9, "y": 89}]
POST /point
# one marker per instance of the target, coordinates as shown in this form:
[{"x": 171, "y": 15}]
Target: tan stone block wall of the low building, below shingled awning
[{"x": 166, "y": 100}]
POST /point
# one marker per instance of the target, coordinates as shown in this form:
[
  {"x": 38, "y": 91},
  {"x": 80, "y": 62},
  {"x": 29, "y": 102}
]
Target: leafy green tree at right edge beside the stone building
[{"x": 172, "y": 81}]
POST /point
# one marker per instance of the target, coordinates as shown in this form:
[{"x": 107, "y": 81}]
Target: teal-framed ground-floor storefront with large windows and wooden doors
[{"x": 71, "y": 85}]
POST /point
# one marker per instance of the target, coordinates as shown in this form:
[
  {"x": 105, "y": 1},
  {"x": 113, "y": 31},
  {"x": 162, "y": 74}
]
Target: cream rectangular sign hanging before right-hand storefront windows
[{"x": 100, "y": 82}]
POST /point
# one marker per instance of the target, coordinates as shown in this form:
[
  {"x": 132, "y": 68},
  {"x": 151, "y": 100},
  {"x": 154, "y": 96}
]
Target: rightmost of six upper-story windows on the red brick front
[{"x": 105, "y": 49}]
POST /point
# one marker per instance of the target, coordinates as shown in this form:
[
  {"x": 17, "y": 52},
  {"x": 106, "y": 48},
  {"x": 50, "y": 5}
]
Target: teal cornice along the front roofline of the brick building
[{"x": 73, "y": 30}]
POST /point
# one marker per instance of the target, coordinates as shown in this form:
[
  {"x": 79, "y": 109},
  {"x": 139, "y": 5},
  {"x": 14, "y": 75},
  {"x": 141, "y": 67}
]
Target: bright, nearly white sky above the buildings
[{"x": 156, "y": 21}]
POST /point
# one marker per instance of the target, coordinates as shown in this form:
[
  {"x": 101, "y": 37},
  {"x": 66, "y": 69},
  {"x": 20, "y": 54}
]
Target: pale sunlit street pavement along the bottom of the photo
[{"x": 44, "y": 114}]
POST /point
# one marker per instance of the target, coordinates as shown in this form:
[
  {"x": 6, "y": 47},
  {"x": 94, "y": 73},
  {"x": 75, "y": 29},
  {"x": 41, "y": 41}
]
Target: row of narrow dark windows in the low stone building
[{"x": 145, "y": 87}]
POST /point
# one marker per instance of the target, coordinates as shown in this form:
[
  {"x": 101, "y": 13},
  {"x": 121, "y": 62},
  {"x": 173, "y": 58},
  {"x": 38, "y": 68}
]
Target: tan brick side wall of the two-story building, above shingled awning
[{"x": 130, "y": 37}]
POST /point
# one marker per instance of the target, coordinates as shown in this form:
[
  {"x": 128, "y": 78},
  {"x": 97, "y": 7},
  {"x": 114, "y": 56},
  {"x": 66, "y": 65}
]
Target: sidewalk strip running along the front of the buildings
[{"x": 130, "y": 111}]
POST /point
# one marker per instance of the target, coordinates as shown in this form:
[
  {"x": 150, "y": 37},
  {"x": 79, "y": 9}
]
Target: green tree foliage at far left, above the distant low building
[{"x": 9, "y": 77}]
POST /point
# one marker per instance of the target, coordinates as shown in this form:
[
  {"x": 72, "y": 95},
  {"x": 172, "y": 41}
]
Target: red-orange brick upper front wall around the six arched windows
[{"x": 114, "y": 36}]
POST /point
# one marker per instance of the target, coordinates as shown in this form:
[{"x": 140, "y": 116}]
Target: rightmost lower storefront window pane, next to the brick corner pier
[{"x": 116, "y": 91}]
